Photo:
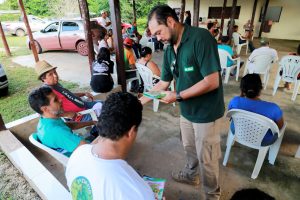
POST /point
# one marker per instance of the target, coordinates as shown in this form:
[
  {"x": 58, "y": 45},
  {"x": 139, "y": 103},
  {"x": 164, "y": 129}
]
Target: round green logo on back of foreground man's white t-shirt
[{"x": 81, "y": 189}]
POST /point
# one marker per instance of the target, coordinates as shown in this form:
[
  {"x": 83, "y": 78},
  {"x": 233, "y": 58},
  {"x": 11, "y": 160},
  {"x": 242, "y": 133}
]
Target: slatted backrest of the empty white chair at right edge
[{"x": 290, "y": 66}]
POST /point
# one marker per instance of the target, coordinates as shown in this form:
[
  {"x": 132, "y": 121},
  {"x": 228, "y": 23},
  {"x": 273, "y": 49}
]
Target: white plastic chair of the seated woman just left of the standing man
[{"x": 147, "y": 77}]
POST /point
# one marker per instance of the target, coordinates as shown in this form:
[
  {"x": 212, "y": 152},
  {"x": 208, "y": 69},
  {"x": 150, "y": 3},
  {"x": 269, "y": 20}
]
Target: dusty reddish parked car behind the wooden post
[{"x": 61, "y": 35}]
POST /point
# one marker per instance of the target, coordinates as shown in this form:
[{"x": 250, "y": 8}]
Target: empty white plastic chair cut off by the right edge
[{"x": 290, "y": 67}]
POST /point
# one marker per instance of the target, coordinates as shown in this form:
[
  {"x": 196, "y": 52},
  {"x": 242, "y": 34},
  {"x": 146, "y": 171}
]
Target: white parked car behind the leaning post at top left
[{"x": 18, "y": 28}]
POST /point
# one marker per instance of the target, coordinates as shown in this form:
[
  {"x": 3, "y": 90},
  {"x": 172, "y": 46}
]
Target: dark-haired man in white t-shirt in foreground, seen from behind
[{"x": 100, "y": 171}]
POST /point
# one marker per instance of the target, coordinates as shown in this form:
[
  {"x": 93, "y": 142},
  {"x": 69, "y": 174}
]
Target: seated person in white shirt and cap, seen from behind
[{"x": 263, "y": 50}]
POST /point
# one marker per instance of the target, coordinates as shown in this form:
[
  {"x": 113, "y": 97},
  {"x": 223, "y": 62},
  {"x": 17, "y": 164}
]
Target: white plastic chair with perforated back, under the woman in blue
[{"x": 250, "y": 129}]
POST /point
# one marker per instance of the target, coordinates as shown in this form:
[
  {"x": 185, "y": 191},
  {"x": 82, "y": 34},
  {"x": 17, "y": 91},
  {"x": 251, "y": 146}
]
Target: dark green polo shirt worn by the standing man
[{"x": 197, "y": 57}]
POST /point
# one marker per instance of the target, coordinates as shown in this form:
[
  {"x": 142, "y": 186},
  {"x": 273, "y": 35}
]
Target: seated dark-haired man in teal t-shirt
[{"x": 52, "y": 131}]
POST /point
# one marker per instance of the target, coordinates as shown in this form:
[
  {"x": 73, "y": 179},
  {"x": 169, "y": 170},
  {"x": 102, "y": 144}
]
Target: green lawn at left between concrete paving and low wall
[{"x": 22, "y": 80}]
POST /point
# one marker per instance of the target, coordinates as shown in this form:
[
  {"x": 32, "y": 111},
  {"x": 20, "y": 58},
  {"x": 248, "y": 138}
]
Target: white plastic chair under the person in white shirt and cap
[{"x": 260, "y": 64}]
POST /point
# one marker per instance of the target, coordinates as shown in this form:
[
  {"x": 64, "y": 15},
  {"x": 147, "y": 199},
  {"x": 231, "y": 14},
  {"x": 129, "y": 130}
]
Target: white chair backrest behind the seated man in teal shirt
[{"x": 33, "y": 138}]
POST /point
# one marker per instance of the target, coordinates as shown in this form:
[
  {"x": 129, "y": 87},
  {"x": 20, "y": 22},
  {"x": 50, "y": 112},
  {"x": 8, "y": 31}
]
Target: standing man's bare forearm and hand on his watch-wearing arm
[{"x": 209, "y": 83}]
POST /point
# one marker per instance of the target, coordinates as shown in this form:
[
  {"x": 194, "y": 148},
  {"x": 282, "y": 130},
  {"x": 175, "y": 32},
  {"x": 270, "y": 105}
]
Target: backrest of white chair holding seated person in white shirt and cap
[{"x": 260, "y": 64}]
